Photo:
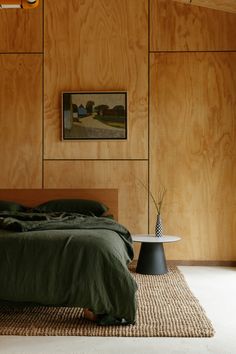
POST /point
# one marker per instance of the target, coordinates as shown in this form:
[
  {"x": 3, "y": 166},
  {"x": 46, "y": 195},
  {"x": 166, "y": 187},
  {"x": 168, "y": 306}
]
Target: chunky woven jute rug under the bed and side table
[{"x": 166, "y": 308}]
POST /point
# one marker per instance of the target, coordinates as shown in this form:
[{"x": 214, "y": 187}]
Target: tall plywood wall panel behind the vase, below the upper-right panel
[{"x": 193, "y": 151}]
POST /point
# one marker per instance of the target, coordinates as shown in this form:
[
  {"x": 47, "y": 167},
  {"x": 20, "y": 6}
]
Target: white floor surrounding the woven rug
[{"x": 215, "y": 287}]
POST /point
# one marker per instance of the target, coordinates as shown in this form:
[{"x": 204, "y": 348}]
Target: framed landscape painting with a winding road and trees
[{"x": 94, "y": 115}]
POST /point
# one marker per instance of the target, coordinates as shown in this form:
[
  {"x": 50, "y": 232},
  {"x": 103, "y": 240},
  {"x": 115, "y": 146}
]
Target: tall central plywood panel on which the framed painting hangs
[{"x": 96, "y": 45}]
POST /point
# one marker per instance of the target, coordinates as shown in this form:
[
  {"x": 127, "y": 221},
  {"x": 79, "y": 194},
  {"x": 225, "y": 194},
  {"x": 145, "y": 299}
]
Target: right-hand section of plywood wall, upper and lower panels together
[{"x": 192, "y": 127}]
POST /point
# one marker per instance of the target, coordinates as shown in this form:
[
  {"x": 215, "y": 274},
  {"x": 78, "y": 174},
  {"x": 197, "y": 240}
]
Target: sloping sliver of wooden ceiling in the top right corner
[{"x": 221, "y": 5}]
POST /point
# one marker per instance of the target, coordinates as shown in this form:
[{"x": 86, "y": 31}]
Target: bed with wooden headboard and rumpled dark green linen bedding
[{"x": 57, "y": 257}]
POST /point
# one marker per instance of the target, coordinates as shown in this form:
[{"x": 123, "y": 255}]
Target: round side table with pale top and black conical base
[{"x": 152, "y": 260}]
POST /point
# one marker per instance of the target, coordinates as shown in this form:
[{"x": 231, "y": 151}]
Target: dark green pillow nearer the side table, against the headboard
[{"x": 82, "y": 206}]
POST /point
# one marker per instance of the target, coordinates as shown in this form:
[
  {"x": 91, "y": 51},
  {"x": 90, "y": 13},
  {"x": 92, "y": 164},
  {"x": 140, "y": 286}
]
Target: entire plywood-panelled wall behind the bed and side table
[{"x": 185, "y": 140}]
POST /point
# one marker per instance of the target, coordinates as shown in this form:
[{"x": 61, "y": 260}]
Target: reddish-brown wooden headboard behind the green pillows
[{"x": 33, "y": 197}]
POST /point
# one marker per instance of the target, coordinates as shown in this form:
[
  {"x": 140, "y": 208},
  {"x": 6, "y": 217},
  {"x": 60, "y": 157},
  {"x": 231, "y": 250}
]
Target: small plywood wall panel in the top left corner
[{"x": 21, "y": 30}]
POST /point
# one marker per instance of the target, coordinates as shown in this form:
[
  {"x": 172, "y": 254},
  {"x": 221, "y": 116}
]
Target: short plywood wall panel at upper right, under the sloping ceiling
[{"x": 180, "y": 27}]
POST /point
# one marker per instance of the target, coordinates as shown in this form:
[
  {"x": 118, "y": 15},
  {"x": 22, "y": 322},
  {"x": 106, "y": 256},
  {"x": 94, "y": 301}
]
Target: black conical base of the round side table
[{"x": 152, "y": 260}]
